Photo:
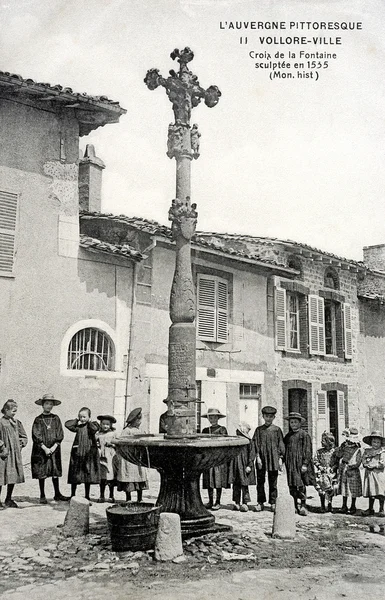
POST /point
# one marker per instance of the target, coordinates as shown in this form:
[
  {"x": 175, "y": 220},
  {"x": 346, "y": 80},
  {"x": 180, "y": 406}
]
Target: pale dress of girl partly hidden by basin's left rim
[{"x": 130, "y": 477}]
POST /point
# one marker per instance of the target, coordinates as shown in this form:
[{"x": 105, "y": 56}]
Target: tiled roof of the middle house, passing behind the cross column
[{"x": 154, "y": 228}]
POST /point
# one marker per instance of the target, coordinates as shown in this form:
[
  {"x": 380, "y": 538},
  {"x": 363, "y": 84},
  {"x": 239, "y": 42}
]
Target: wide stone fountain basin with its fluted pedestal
[{"x": 180, "y": 462}]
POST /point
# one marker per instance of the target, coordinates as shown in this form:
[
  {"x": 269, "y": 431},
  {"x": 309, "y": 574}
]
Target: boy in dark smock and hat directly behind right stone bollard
[{"x": 298, "y": 461}]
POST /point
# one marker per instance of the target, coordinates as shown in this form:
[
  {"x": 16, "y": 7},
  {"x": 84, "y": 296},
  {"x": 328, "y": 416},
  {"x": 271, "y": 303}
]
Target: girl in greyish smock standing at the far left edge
[{"x": 14, "y": 438}]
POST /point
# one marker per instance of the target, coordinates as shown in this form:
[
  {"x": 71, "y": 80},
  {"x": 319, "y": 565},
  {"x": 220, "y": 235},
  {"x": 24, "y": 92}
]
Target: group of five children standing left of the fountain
[{"x": 92, "y": 461}]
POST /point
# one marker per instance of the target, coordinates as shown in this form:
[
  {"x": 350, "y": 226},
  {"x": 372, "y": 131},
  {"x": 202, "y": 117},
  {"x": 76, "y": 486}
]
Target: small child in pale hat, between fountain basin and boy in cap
[{"x": 242, "y": 471}]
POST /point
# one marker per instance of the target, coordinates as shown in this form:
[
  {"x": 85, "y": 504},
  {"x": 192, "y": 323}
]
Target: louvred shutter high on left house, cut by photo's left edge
[{"x": 8, "y": 215}]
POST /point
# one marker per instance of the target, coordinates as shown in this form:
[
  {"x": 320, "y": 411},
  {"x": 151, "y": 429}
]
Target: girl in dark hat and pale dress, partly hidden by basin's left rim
[{"x": 130, "y": 477}]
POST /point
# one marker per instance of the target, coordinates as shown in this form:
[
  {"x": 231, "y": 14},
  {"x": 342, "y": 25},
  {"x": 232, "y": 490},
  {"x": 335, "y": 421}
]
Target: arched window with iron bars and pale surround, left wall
[{"x": 91, "y": 349}]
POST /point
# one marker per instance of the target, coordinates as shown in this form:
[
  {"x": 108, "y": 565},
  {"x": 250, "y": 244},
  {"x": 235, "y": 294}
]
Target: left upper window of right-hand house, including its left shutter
[{"x": 287, "y": 319}]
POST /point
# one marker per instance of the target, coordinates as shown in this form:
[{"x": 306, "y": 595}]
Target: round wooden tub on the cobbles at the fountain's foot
[{"x": 133, "y": 526}]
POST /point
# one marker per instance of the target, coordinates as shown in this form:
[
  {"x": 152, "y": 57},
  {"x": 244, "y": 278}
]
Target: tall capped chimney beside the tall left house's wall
[{"x": 90, "y": 180}]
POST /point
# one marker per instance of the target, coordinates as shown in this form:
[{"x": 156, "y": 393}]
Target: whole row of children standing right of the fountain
[{"x": 333, "y": 471}]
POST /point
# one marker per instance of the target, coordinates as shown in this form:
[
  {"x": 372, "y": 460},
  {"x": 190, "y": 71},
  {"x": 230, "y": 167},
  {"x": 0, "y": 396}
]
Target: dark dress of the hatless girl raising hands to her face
[{"x": 84, "y": 462}]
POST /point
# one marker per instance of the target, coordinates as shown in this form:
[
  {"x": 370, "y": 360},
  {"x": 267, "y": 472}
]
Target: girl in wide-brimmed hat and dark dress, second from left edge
[{"x": 47, "y": 435}]
